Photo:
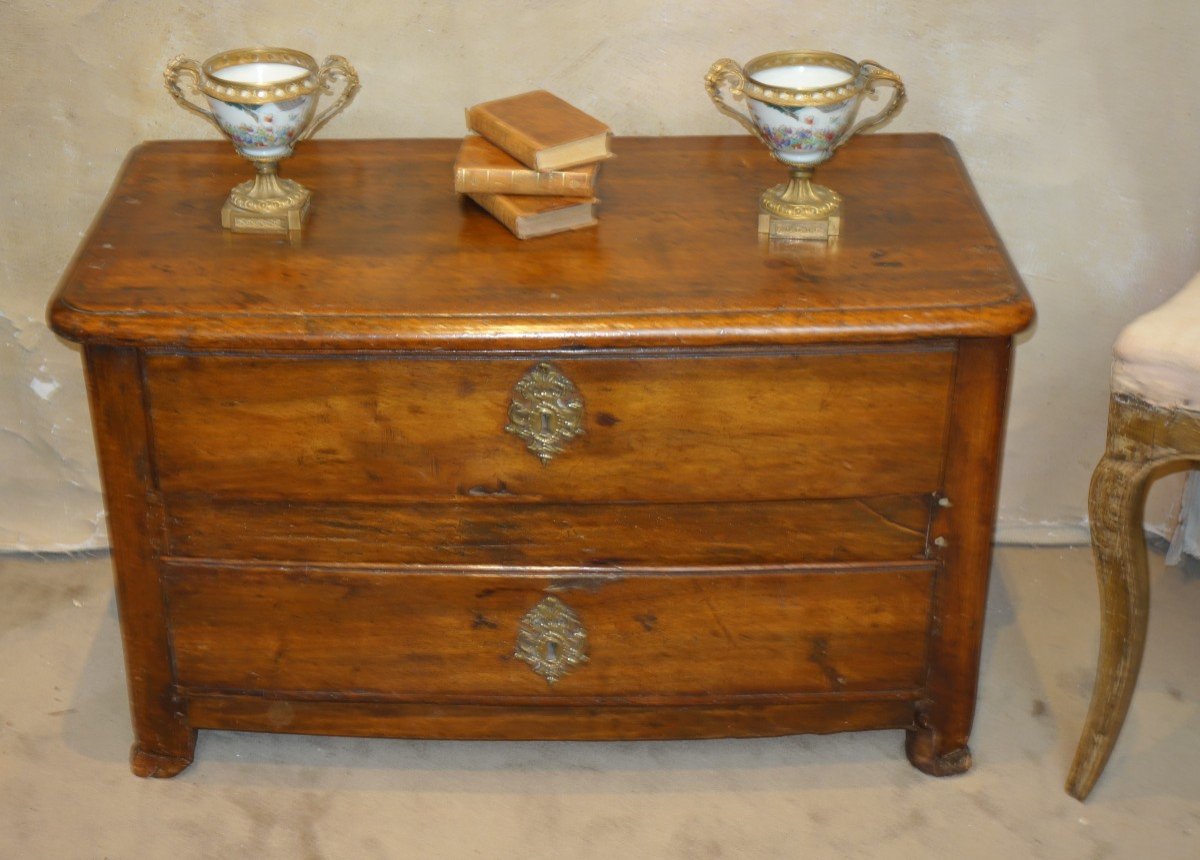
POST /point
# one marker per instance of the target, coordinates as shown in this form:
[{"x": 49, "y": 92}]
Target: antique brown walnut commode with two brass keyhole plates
[{"x": 407, "y": 477}]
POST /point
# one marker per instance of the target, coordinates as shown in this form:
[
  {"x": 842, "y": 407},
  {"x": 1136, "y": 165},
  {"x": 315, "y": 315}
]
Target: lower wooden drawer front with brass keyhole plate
[{"x": 404, "y": 636}]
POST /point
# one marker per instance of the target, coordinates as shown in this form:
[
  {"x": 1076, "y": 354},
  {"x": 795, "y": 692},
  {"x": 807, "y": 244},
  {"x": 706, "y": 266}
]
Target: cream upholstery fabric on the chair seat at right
[{"x": 1157, "y": 357}]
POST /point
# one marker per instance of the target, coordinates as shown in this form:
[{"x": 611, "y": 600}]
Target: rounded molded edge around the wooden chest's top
[{"x": 383, "y": 332}]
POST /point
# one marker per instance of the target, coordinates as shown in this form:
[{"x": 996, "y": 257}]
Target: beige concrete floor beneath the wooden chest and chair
[{"x": 67, "y": 792}]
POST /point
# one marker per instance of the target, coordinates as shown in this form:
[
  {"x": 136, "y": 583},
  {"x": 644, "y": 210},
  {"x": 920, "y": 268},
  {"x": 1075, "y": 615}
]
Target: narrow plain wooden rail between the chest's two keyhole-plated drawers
[{"x": 495, "y": 531}]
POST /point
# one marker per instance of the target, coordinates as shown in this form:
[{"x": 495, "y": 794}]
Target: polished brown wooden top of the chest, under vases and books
[{"x": 392, "y": 258}]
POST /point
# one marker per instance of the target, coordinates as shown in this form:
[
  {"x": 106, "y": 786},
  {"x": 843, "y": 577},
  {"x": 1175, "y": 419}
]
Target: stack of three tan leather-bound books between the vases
[{"x": 533, "y": 164}]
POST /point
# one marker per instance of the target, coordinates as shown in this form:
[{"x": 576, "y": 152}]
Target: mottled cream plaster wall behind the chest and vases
[{"x": 1077, "y": 119}]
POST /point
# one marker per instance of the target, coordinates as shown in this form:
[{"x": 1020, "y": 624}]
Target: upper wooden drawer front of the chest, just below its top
[{"x": 819, "y": 424}]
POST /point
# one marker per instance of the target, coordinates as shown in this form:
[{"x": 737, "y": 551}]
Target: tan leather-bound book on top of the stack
[{"x": 542, "y": 131}]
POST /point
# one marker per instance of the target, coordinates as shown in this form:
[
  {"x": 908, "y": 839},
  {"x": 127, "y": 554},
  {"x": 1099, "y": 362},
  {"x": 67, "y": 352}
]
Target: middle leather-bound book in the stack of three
[{"x": 484, "y": 167}]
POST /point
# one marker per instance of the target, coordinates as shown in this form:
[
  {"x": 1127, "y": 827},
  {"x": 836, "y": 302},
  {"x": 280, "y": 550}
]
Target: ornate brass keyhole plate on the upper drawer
[{"x": 547, "y": 411}]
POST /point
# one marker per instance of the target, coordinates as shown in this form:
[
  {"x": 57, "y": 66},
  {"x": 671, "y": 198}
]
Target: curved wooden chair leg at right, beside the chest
[{"x": 1117, "y": 501}]
